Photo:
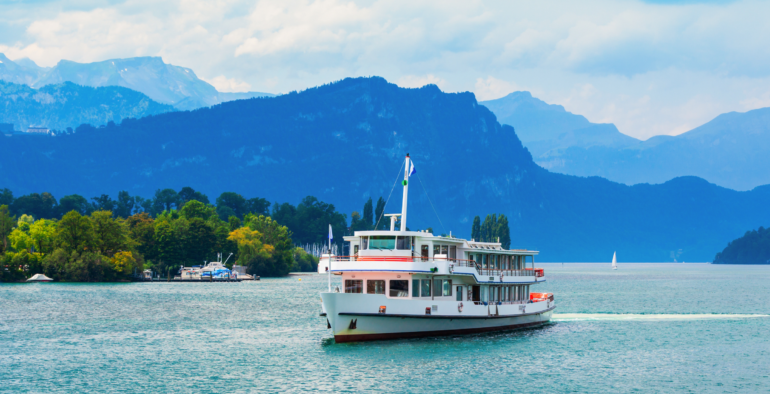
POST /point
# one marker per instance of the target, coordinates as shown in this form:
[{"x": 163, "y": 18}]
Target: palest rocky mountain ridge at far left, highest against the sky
[{"x": 164, "y": 83}]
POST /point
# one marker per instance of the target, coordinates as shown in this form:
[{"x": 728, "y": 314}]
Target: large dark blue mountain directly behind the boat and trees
[{"x": 344, "y": 142}]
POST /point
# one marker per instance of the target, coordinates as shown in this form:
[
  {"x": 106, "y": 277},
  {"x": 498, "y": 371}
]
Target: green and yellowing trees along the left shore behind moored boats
[{"x": 74, "y": 239}]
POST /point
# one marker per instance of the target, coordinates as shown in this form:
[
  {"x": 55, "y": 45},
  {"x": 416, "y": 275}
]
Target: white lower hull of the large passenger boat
[{"x": 355, "y": 317}]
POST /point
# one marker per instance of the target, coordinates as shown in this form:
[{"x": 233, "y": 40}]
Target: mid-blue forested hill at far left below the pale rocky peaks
[{"x": 67, "y": 105}]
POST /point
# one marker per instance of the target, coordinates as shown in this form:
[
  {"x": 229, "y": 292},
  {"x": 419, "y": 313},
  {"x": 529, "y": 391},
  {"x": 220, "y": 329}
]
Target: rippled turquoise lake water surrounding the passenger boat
[{"x": 645, "y": 328}]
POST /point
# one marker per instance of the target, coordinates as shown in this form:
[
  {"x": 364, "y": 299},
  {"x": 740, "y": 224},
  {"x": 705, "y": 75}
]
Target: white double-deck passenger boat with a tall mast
[{"x": 406, "y": 284}]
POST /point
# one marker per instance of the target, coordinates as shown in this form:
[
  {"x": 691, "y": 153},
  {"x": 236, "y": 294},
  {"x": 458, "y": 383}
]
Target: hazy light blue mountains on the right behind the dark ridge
[{"x": 731, "y": 150}]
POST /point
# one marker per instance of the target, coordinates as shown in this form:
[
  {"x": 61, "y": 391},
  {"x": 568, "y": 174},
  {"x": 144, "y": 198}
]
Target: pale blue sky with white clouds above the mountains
[{"x": 649, "y": 67}]
